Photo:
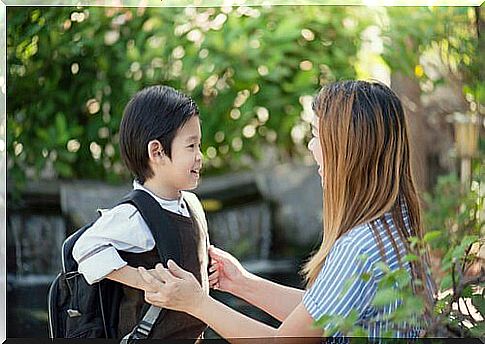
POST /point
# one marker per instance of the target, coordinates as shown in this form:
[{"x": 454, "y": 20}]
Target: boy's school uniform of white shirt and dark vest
[{"x": 121, "y": 237}]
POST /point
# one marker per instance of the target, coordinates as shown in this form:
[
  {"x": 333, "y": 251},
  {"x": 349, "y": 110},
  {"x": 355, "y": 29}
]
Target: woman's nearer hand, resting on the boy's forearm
[{"x": 174, "y": 288}]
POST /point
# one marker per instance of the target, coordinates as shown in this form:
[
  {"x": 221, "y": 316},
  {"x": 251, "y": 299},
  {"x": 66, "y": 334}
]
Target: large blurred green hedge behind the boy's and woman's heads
[{"x": 72, "y": 70}]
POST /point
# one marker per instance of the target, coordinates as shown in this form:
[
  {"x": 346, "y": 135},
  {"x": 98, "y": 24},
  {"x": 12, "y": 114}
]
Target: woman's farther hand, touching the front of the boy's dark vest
[{"x": 225, "y": 273}]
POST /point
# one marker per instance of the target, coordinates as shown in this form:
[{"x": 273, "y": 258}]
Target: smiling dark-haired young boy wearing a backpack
[{"x": 160, "y": 144}]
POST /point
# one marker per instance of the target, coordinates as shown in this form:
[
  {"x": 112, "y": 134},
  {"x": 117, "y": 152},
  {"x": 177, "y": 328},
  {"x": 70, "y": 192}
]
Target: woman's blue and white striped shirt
[{"x": 339, "y": 287}]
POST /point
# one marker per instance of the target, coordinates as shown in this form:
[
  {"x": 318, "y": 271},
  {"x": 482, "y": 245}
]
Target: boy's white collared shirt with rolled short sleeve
[{"x": 120, "y": 228}]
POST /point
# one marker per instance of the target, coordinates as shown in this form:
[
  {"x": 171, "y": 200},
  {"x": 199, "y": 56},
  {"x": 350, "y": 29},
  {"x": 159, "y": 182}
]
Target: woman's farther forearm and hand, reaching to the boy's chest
[{"x": 229, "y": 275}]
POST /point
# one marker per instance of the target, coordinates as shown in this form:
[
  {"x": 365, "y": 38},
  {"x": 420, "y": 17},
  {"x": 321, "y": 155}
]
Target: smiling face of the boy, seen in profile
[{"x": 182, "y": 171}]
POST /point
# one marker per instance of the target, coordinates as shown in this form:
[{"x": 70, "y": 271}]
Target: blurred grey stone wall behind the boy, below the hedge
[{"x": 251, "y": 210}]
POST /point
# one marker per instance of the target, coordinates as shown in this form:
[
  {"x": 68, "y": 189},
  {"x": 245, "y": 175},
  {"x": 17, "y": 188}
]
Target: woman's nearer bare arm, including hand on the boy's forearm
[{"x": 178, "y": 289}]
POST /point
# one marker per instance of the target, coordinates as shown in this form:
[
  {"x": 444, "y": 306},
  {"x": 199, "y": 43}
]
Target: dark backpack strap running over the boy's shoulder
[{"x": 165, "y": 235}]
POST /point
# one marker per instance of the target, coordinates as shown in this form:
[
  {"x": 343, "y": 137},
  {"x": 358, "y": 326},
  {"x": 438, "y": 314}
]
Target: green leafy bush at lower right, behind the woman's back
[{"x": 455, "y": 218}]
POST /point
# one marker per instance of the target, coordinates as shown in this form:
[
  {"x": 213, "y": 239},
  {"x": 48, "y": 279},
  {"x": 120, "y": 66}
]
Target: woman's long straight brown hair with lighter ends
[{"x": 366, "y": 170}]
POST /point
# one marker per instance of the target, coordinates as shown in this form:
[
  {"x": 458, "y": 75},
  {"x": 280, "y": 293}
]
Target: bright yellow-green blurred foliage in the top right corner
[{"x": 441, "y": 46}]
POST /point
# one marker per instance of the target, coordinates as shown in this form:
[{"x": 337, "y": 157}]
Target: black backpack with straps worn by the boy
[{"x": 79, "y": 310}]
